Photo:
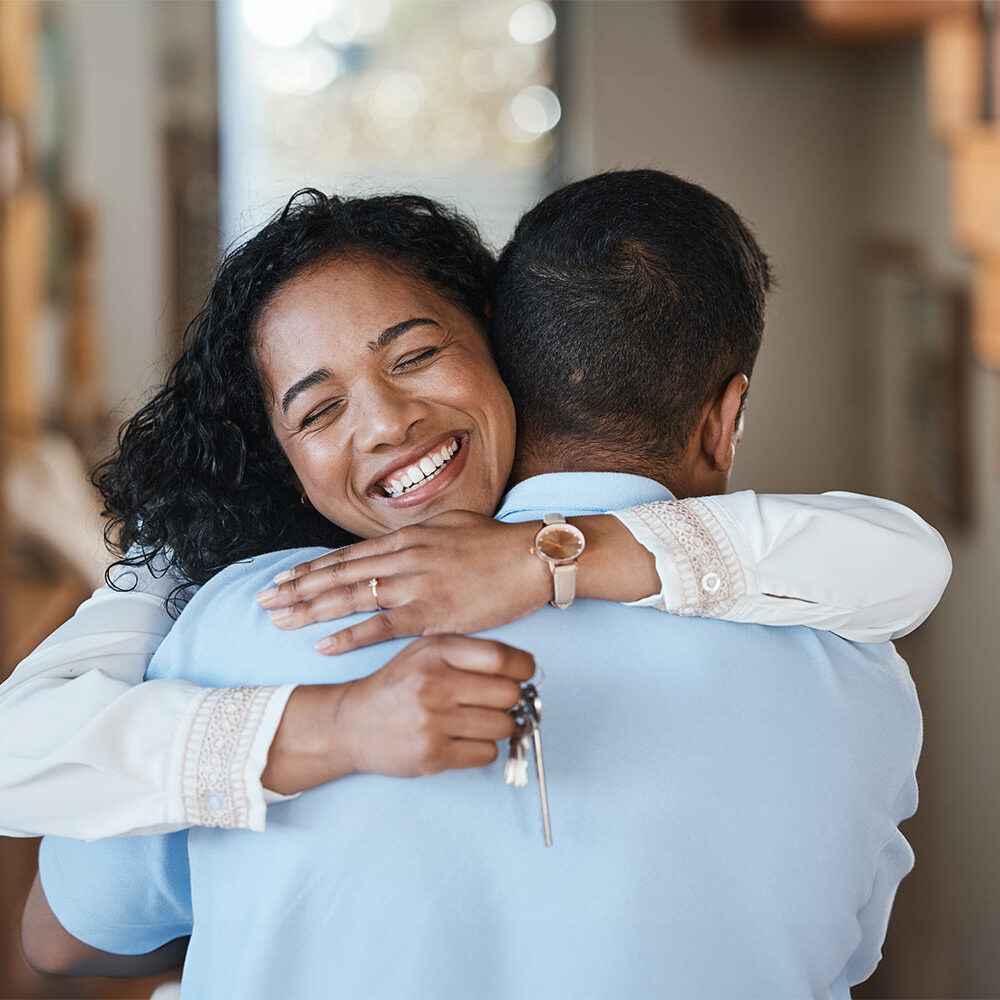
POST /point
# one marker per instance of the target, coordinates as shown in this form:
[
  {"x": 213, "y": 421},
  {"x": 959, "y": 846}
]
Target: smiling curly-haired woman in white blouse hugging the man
[{"x": 204, "y": 478}]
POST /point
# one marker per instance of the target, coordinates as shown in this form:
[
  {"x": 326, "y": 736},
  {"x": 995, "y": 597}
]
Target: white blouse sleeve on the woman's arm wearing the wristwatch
[{"x": 867, "y": 569}]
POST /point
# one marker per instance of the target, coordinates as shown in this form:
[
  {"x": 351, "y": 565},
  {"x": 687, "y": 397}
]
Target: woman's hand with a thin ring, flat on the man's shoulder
[{"x": 457, "y": 572}]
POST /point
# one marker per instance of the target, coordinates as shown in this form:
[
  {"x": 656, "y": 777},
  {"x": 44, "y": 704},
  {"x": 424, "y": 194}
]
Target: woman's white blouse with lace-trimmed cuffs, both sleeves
[{"x": 88, "y": 751}]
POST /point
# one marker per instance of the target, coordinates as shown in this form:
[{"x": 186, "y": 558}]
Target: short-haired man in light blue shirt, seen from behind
[{"x": 724, "y": 798}]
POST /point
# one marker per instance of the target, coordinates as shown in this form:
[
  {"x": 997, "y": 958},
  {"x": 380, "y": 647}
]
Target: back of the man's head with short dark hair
[{"x": 628, "y": 315}]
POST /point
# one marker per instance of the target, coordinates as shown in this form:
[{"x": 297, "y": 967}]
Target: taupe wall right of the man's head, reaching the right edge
[{"x": 821, "y": 151}]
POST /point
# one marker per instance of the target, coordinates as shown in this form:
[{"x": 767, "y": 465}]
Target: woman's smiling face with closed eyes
[{"x": 384, "y": 397}]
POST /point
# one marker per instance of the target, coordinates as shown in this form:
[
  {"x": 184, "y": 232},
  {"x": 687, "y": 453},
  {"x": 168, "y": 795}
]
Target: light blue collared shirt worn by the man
[{"x": 724, "y": 797}]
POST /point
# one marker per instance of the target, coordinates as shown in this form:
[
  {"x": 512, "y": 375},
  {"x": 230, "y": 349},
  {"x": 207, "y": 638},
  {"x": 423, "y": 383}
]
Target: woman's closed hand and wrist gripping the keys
[{"x": 440, "y": 704}]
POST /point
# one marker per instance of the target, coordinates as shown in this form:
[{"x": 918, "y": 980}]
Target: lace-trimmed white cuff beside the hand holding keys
[{"x": 224, "y": 755}]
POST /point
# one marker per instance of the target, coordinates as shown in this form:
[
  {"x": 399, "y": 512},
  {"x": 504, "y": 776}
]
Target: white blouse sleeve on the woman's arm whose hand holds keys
[{"x": 88, "y": 751}]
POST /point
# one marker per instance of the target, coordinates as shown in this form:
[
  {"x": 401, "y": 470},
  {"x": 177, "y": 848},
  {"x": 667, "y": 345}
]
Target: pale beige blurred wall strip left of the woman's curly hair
[{"x": 115, "y": 161}]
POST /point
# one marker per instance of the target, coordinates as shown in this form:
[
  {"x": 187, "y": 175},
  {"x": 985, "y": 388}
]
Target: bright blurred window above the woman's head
[{"x": 451, "y": 98}]
